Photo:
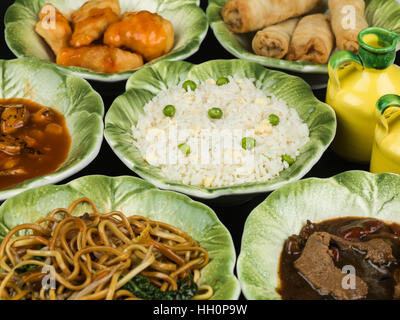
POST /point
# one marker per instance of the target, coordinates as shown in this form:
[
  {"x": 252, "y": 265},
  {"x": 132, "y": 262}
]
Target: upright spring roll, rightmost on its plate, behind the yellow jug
[{"x": 347, "y": 19}]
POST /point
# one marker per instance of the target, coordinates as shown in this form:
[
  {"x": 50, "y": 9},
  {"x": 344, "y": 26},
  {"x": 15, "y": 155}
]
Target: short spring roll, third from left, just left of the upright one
[{"x": 312, "y": 40}]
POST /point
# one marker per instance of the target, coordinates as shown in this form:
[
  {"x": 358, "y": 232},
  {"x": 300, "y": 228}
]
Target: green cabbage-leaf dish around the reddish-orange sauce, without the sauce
[{"x": 81, "y": 106}]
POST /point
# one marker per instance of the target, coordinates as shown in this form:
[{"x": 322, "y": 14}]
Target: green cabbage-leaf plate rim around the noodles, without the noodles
[{"x": 135, "y": 196}]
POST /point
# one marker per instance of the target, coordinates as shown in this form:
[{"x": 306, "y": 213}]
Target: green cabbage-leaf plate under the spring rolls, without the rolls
[{"x": 379, "y": 13}]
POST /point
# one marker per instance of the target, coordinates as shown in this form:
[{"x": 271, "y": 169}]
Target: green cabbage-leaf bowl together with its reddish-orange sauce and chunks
[{"x": 51, "y": 125}]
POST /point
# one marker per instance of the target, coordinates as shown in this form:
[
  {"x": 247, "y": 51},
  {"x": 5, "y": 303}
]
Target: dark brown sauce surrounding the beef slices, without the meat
[{"x": 380, "y": 279}]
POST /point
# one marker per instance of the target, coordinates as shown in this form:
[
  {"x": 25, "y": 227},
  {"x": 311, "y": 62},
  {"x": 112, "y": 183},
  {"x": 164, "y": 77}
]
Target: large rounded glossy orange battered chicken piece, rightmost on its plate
[{"x": 143, "y": 32}]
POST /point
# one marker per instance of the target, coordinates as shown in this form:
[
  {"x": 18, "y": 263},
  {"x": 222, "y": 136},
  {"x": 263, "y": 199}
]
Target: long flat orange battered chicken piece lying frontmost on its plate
[{"x": 100, "y": 59}]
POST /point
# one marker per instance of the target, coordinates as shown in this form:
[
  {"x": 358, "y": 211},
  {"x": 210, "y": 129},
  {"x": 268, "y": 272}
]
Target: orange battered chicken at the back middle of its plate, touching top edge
[{"x": 92, "y": 19}]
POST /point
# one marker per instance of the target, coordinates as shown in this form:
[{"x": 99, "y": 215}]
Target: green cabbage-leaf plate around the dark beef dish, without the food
[{"x": 285, "y": 212}]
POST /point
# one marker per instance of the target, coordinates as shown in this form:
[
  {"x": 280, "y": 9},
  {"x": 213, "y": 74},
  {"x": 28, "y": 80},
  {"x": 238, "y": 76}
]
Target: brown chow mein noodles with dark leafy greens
[{"x": 100, "y": 256}]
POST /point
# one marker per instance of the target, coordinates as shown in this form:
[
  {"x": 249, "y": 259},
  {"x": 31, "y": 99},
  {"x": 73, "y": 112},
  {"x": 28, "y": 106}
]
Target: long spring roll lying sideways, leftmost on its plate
[{"x": 249, "y": 15}]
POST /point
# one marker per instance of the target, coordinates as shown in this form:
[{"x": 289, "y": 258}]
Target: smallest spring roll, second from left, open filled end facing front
[{"x": 274, "y": 41}]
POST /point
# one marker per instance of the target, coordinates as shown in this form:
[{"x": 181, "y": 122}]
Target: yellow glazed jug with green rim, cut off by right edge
[{"x": 386, "y": 147}]
